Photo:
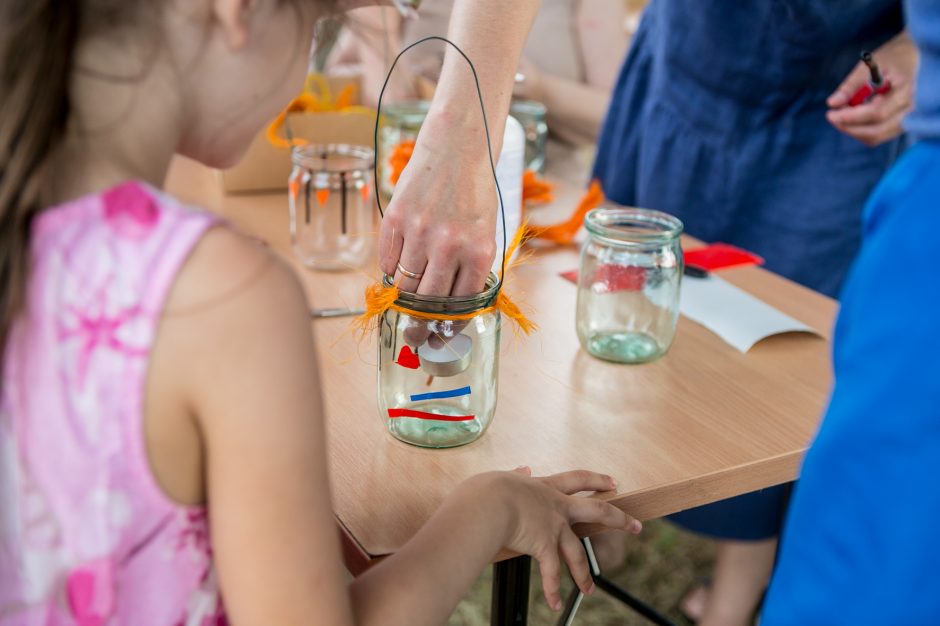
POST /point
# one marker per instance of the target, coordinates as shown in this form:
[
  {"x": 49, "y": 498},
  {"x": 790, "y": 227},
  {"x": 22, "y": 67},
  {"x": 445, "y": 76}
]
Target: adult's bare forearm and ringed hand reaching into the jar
[{"x": 438, "y": 233}]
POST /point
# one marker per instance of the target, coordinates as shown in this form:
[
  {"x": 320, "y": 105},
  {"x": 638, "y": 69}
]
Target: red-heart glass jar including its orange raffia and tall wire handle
[{"x": 438, "y": 356}]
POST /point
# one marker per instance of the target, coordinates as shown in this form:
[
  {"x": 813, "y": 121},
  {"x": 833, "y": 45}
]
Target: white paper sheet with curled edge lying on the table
[{"x": 733, "y": 314}]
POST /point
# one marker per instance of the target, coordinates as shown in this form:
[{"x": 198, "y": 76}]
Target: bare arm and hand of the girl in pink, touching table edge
[{"x": 242, "y": 364}]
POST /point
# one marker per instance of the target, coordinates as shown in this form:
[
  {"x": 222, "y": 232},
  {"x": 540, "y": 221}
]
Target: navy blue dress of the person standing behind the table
[{"x": 718, "y": 117}]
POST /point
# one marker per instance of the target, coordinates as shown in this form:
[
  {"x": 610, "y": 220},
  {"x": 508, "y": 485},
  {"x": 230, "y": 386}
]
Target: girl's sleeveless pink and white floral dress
[{"x": 87, "y": 538}]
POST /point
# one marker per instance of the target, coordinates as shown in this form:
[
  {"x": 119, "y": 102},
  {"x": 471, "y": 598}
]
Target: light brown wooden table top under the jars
[{"x": 702, "y": 424}]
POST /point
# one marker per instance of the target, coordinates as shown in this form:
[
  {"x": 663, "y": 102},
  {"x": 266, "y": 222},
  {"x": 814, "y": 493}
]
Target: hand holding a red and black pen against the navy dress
[{"x": 872, "y": 101}]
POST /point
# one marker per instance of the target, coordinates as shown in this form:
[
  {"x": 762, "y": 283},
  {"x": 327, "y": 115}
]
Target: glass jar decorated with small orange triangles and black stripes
[{"x": 332, "y": 216}]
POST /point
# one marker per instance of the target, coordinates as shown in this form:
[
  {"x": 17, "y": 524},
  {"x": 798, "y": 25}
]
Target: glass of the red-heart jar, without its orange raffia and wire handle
[{"x": 437, "y": 376}]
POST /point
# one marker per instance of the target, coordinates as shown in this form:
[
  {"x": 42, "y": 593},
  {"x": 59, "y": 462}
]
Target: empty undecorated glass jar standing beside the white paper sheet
[{"x": 628, "y": 284}]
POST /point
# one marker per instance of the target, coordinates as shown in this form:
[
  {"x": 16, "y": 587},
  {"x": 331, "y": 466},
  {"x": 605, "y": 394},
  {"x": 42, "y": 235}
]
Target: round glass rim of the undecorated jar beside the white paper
[{"x": 632, "y": 226}]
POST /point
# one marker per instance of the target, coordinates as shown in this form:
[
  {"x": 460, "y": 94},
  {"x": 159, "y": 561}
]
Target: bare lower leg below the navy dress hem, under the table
[{"x": 741, "y": 574}]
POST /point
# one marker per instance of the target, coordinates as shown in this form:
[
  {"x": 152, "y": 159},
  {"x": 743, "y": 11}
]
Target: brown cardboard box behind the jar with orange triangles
[{"x": 266, "y": 167}]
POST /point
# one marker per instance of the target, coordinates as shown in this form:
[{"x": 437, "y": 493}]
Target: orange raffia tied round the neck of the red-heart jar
[{"x": 381, "y": 298}]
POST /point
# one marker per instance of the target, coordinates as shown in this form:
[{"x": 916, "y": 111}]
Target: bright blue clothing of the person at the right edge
[{"x": 859, "y": 545}]
